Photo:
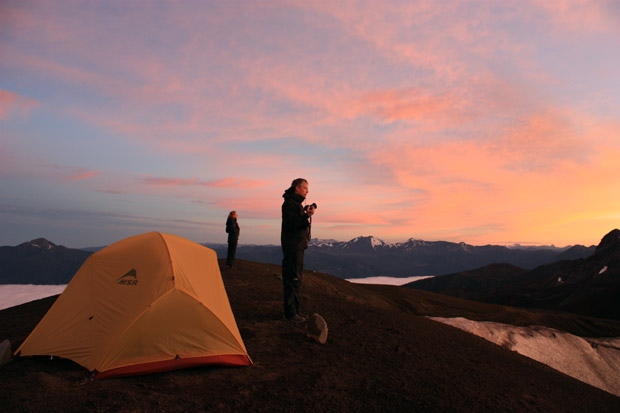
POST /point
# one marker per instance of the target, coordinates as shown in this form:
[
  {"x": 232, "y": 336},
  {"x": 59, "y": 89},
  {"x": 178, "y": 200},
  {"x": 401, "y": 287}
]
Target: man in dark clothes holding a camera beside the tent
[{"x": 294, "y": 238}]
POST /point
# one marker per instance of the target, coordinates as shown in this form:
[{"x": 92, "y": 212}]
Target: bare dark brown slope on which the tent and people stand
[{"x": 380, "y": 356}]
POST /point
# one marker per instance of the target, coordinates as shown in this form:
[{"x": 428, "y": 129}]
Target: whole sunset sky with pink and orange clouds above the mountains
[{"x": 485, "y": 122}]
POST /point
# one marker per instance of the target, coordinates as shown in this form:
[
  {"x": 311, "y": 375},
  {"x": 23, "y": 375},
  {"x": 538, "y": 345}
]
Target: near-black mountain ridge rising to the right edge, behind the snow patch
[{"x": 589, "y": 286}]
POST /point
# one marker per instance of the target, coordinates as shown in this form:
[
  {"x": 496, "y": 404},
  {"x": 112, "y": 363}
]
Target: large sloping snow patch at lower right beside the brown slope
[{"x": 595, "y": 361}]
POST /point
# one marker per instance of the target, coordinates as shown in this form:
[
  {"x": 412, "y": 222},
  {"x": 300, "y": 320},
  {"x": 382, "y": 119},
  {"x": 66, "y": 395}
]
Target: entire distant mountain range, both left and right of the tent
[{"x": 42, "y": 262}]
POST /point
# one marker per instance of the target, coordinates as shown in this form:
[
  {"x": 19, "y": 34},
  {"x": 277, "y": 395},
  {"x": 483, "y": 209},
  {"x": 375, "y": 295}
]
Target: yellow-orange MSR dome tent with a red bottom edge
[{"x": 149, "y": 303}]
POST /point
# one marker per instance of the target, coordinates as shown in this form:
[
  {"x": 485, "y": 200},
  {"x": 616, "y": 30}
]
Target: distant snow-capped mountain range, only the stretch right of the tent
[{"x": 369, "y": 256}]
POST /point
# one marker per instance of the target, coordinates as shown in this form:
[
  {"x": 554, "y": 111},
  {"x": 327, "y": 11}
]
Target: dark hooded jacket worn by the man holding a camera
[{"x": 295, "y": 223}]
